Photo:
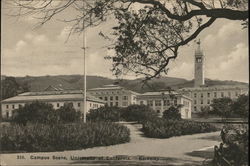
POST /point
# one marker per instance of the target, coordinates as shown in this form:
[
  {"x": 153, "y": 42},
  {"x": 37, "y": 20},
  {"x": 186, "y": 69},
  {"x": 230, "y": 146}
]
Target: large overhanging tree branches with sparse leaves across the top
[{"x": 149, "y": 32}]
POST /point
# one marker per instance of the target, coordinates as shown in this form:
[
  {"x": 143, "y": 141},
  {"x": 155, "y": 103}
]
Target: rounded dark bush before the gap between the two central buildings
[{"x": 138, "y": 113}]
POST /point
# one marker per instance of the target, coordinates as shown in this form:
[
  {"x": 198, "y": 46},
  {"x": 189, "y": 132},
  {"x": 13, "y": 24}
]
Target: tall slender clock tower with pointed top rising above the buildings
[{"x": 199, "y": 66}]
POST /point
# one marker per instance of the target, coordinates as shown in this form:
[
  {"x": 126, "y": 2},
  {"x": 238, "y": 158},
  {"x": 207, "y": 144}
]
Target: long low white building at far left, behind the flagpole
[{"x": 57, "y": 98}]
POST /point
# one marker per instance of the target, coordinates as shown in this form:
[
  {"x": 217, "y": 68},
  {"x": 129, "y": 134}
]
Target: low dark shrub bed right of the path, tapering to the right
[{"x": 162, "y": 128}]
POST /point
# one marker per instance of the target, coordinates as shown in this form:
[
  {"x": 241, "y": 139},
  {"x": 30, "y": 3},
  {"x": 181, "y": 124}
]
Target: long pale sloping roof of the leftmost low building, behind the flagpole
[{"x": 52, "y": 96}]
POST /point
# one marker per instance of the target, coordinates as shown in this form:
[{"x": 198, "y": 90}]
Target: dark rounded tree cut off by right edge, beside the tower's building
[{"x": 241, "y": 106}]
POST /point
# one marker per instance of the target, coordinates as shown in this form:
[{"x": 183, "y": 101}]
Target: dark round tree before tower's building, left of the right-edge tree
[{"x": 222, "y": 107}]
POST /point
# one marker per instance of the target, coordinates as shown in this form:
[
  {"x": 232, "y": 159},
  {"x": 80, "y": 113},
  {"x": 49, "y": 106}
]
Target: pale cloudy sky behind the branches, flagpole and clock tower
[{"x": 27, "y": 50}]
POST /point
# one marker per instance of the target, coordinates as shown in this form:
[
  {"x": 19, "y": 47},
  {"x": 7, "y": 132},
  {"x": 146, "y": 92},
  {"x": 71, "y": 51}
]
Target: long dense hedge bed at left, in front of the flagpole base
[{"x": 42, "y": 138}]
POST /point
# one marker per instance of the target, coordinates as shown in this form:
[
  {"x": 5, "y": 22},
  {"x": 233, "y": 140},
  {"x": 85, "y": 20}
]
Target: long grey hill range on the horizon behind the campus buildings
[{"x": 76, "y": 82}]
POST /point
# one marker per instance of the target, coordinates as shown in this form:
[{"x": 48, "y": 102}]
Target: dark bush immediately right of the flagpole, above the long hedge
[{"x": 106, "y": 113}]
